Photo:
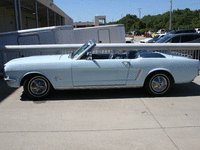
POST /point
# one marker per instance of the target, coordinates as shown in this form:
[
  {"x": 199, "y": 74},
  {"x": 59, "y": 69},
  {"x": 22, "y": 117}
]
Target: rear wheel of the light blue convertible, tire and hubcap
[{"x": 158, "y": 84}]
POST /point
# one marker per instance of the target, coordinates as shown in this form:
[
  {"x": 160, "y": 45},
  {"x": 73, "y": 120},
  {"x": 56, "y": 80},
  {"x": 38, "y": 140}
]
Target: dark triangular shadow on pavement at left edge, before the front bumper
[{"x": 5, "y": 90}]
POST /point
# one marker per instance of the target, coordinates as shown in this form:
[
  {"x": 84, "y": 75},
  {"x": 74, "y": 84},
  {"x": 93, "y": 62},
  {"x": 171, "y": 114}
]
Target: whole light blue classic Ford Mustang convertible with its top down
[{"x": 154, "y": 71}]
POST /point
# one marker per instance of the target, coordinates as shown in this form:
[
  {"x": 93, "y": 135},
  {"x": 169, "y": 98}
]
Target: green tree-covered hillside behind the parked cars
[{"x": 181, "y": 19}]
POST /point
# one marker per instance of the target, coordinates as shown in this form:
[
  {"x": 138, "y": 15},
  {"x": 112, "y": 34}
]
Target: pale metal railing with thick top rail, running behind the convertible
[{"x": 8, "y": 52}]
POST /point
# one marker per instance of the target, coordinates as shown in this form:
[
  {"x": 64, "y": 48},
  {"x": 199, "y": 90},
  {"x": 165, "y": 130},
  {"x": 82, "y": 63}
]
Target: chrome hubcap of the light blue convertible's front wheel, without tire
[{"x": 38, "y": 86}]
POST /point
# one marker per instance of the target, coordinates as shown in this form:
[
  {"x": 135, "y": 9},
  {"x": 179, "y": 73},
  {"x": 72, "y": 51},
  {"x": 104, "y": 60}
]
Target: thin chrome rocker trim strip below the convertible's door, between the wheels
[{"x": 99, "y": 87}]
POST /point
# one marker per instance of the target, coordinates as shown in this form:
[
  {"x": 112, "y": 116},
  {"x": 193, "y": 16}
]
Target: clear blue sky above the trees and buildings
[{"x": 85, "y": 10}]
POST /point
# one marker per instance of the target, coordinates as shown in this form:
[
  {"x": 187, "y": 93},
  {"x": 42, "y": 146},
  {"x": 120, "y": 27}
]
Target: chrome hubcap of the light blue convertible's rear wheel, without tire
[{"x": 159, "y": 84}]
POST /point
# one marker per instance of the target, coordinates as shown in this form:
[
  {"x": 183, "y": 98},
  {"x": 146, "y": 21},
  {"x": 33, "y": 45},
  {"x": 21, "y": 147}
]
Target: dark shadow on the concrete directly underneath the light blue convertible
[{"x": 181, "y": 90}]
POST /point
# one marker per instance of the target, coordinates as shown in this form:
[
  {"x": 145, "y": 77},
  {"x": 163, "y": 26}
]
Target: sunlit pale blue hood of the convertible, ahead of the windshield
[{"x": 38, "y": 59}]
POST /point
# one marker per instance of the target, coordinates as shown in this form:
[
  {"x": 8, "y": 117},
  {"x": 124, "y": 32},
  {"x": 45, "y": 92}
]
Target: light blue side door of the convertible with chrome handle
[{"x": 100, "y": 72}]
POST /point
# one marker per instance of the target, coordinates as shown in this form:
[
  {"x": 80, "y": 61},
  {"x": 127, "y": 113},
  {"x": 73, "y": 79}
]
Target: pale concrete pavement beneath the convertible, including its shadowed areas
[{"x": 101, "y": 119}]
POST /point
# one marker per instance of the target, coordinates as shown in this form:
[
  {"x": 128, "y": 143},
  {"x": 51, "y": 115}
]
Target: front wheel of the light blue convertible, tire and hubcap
[{"x": 37, "y": 87}]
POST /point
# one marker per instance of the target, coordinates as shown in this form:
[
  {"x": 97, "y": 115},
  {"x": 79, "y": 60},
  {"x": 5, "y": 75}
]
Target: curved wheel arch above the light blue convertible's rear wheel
[{"x": 165, "y": 71}]
